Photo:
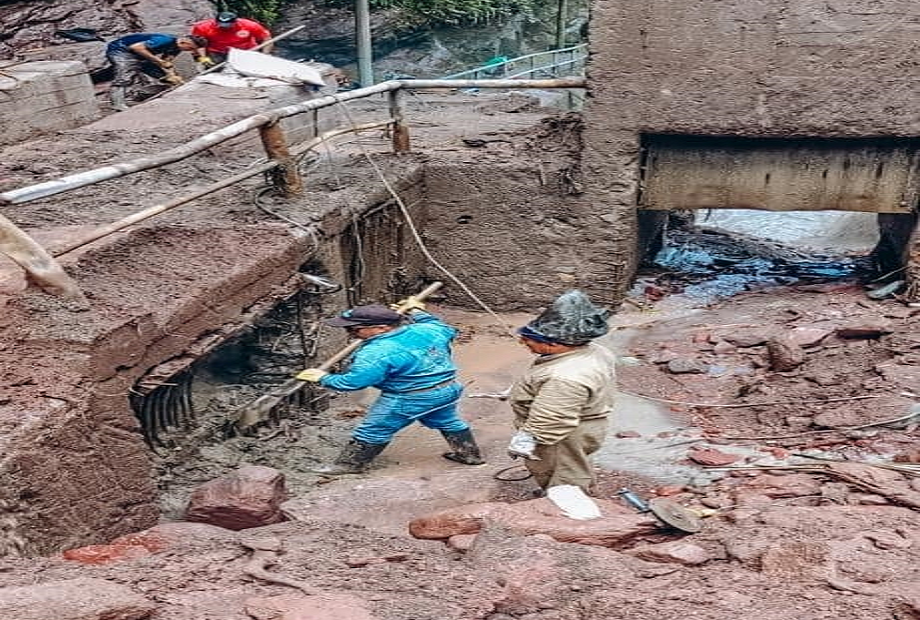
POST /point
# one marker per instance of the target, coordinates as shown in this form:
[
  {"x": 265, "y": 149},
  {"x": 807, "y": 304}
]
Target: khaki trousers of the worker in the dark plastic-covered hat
[{"x": 567, "y": 462}]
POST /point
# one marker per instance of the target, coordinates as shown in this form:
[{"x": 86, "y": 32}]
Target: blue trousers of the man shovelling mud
[{"x": 390, "y": 413}]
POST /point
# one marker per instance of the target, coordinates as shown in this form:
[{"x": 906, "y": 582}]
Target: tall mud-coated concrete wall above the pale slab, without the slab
[{"x": 751, "y": 68}]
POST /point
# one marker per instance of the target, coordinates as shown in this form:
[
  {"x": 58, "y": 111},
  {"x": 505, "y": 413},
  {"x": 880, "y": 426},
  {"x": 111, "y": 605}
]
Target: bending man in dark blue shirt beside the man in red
[{"x": 145, "y": 53}]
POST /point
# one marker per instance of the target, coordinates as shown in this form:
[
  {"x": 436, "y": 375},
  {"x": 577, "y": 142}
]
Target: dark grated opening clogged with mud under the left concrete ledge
[{"x": 184, "y": 405}]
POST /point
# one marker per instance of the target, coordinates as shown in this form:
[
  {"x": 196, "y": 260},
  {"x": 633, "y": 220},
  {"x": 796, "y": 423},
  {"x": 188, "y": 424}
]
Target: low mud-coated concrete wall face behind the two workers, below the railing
[{"x": 516, "y": 235}]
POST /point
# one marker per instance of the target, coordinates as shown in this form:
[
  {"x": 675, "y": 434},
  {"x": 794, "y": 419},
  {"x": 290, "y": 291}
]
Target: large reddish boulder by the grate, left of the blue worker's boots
[{"x": 251, "y": 496}]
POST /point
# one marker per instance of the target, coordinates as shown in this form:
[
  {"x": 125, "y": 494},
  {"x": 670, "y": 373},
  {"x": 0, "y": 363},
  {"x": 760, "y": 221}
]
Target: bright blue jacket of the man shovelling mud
[{"x": 409, "y": 358}]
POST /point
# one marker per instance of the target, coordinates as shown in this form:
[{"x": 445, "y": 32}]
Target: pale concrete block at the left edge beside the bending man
[{"x": 43, "y": 97}]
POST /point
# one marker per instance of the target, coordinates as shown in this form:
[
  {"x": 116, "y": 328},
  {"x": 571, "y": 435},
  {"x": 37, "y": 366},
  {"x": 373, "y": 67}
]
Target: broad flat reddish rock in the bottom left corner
[{"x": 74, "y": 599}]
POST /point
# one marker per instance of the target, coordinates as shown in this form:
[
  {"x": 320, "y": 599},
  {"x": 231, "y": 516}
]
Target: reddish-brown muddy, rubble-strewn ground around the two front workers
[{"x": 781, "y": 544}]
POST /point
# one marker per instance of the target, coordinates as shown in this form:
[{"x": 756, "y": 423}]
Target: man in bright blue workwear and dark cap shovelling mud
[{"x": 411, "y": 364}]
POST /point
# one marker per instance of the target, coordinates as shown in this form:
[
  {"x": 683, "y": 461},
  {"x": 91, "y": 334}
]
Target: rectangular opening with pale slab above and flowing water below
[{"x": 722, "y": 215}]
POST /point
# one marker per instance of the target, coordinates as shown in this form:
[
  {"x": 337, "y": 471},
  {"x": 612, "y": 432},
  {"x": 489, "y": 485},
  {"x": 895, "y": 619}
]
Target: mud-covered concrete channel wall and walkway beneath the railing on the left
[{"x": 81, "y": 381}]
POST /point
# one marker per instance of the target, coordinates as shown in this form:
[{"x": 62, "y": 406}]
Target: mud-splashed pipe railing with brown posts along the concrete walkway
[{"x": 40, "y": 265}]
